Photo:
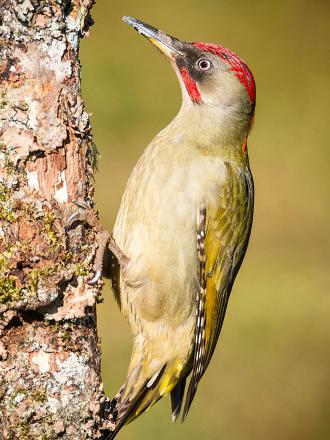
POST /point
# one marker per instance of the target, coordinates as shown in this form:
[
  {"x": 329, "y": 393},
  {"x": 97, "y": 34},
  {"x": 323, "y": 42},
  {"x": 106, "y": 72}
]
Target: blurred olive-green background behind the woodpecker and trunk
[{"x": 269, "y": 378}]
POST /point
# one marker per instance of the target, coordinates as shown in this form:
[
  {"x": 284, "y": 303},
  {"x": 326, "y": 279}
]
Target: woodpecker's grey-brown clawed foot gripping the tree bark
[{"x": 86, "y": 214}]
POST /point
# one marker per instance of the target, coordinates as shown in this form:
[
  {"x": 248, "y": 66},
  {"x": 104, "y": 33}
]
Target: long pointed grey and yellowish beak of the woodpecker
[{"x": 165, "y": 43}]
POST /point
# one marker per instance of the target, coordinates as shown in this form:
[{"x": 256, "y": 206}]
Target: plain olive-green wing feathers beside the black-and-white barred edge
[{"x": 227, "y": 236}]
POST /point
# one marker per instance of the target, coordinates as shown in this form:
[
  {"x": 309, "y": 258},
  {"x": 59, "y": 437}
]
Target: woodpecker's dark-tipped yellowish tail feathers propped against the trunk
[{"x": 137, "y": 396}]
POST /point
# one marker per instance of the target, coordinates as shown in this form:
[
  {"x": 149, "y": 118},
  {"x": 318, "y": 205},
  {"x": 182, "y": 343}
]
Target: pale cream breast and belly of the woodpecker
[{"x": 156, "y": 227}]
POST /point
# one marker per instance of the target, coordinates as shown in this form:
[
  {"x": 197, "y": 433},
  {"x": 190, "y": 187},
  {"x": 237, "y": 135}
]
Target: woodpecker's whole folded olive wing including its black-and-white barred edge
[{"x": 223, "y": 231}]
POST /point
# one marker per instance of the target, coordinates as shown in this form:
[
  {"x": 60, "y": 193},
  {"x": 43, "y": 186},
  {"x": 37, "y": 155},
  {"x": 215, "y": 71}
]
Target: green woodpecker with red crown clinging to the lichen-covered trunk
[{"x": 183, "y": 226}]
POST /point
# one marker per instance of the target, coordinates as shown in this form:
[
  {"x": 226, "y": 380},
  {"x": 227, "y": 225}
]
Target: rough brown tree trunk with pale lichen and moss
[{"x": 50, "y": 381}]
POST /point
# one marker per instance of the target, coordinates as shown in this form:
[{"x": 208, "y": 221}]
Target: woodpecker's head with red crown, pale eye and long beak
[{"x": 217, "y": 86}]
